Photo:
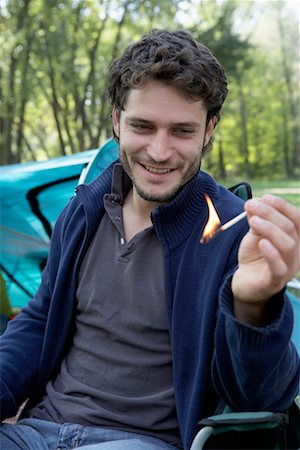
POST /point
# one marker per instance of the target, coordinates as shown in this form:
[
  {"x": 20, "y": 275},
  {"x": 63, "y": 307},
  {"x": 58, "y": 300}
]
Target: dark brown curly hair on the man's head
[{"x": 174, "y": 58}]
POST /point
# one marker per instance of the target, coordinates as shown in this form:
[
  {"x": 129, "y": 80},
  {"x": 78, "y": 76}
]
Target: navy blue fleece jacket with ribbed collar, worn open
[{"x": 215, "y": 357}]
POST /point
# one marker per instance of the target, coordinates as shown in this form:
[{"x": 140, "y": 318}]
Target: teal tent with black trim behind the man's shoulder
[{"x": 31, "y": 198}]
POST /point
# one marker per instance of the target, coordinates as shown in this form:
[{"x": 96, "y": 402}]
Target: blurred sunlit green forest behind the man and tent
[{"x": 55, "y": 56}]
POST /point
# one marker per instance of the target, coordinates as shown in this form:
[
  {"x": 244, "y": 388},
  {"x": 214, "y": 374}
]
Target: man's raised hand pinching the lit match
[{"x": 269, "y": 256}]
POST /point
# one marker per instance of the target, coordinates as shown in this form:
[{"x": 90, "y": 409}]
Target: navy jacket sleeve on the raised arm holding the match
[{"x": 255, "y": 368}]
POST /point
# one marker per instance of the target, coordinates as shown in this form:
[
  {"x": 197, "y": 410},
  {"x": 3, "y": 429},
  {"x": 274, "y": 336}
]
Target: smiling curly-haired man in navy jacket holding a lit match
[{"x": 137, "y": 330}]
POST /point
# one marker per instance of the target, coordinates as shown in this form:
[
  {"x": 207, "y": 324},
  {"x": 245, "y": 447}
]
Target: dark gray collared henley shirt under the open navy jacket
[{"x": 118, "y": 372}]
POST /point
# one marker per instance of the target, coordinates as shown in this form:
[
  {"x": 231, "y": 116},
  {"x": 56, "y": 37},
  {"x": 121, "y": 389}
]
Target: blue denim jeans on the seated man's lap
[{"x": 36, "y": 434}]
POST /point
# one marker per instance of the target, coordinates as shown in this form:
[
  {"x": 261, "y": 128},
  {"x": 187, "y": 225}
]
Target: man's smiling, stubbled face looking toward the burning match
[{"x": 161, "y": 135}]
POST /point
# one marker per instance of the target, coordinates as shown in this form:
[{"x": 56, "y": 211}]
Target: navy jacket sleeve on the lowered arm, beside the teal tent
[{"x": 22, "y": 342}]
